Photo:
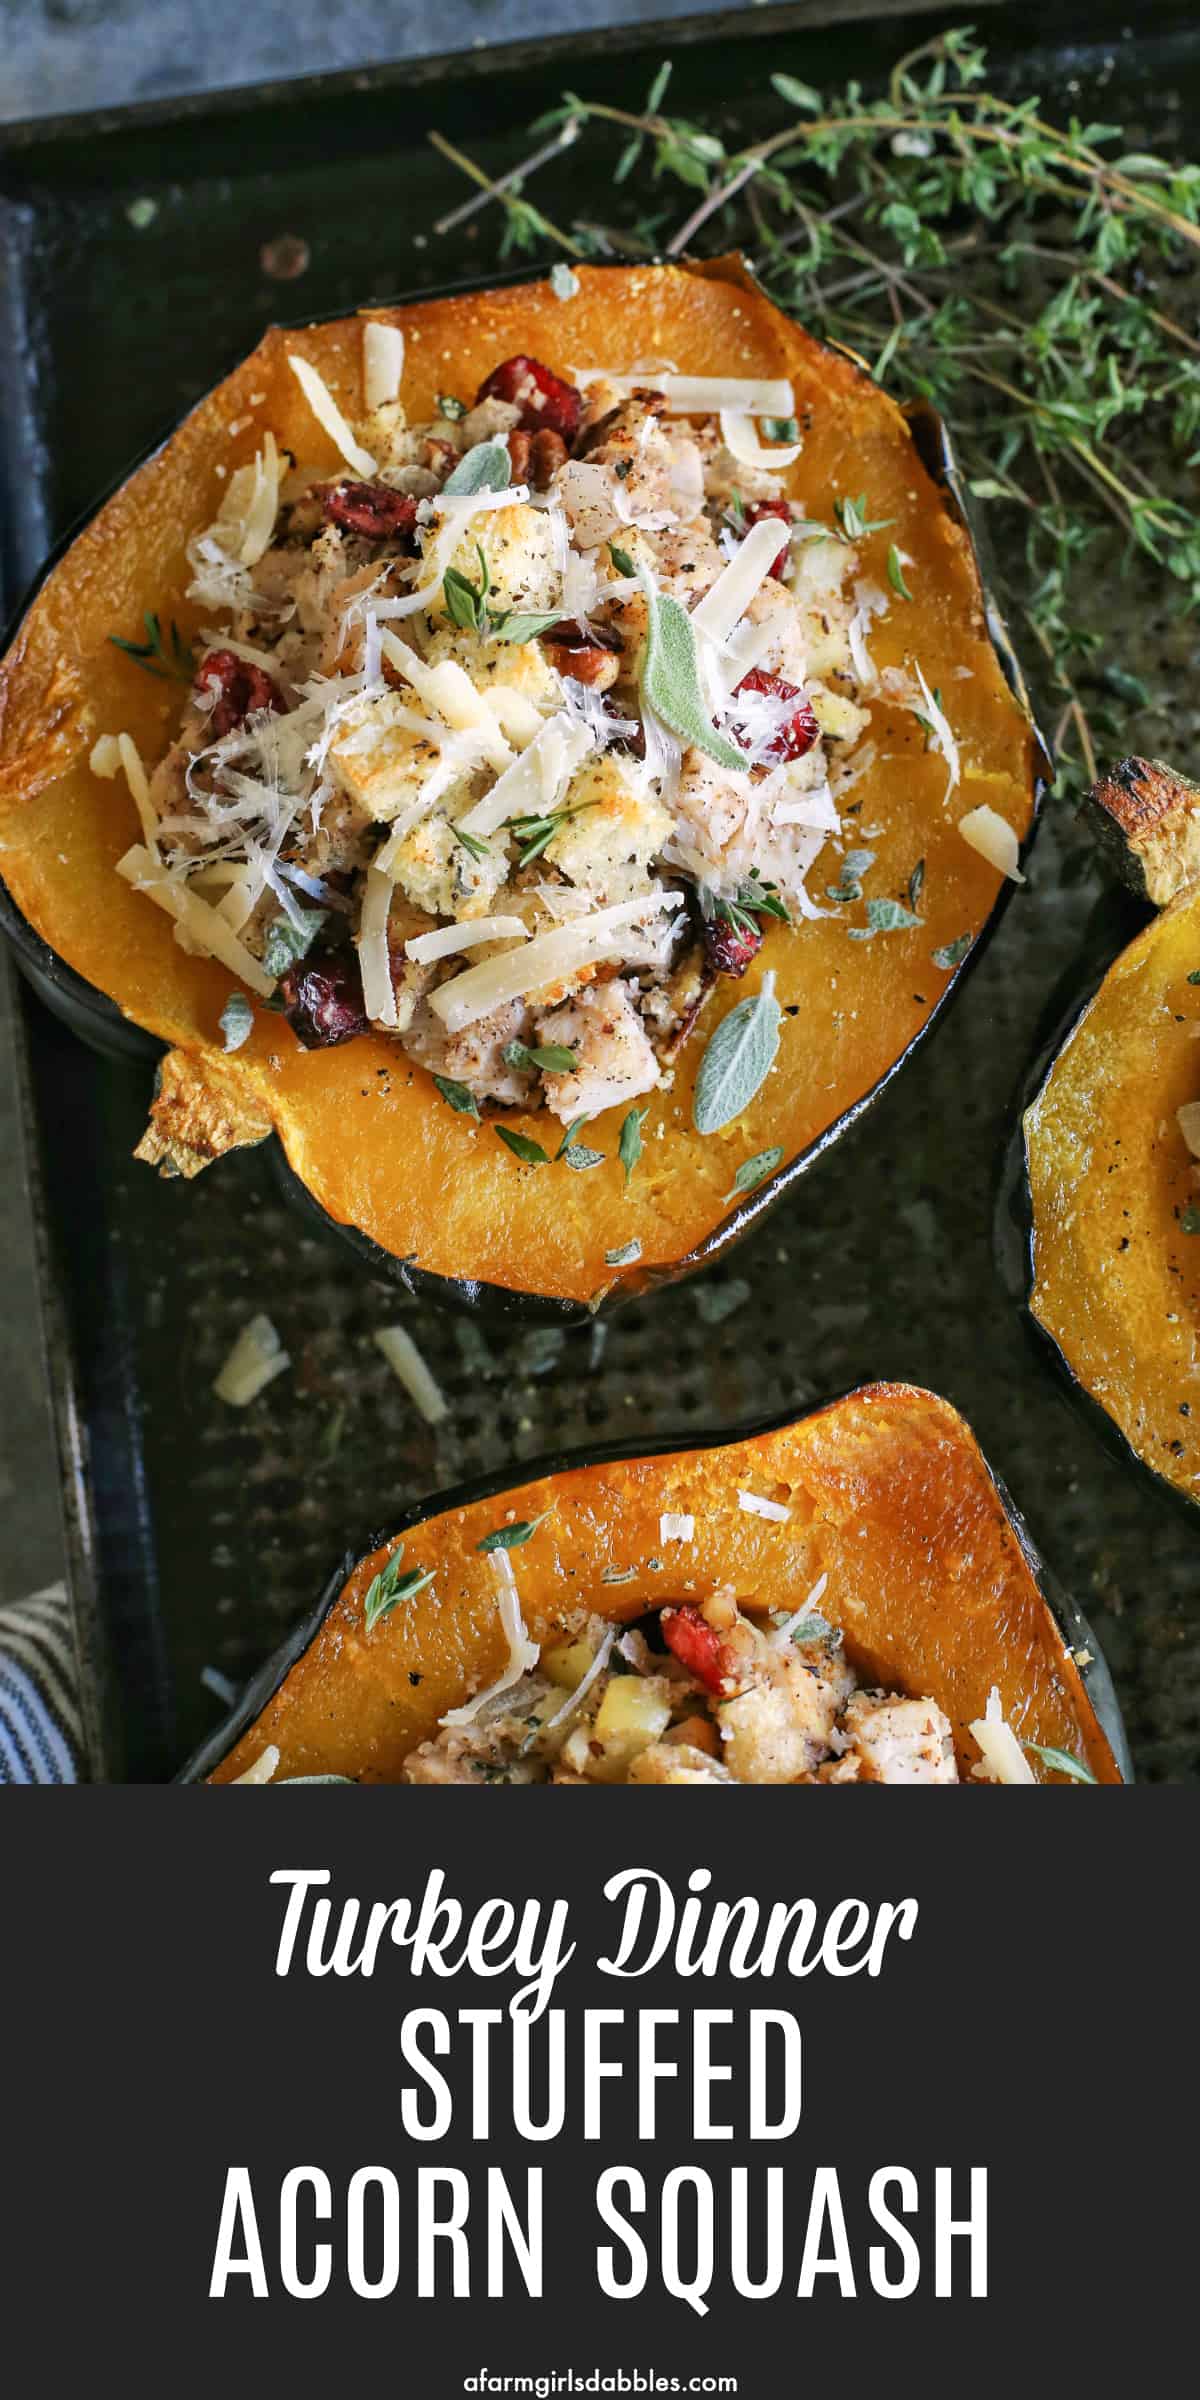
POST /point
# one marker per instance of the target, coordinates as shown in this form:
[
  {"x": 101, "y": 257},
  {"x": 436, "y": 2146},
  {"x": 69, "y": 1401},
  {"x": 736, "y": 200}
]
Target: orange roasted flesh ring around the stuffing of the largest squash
[{"x": 361, "y": 1127}]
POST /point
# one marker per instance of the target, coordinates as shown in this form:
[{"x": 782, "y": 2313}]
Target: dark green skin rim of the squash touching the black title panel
[{"x": 496, "y": 1487}]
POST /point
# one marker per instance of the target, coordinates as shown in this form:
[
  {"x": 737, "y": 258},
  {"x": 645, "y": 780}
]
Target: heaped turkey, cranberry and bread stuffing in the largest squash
[{"x": 512, "y": 738}]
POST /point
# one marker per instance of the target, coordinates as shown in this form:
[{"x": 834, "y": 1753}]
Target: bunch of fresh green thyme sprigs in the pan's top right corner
[{"x": 1024, "y": 277}]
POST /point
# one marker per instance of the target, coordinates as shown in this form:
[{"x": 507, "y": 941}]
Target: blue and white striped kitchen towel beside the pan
[{"x": 42, "y": 1739}]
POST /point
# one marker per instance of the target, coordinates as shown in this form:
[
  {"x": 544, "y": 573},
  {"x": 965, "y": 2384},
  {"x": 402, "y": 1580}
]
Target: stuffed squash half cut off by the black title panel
[{"x": 846, "y": 1600}]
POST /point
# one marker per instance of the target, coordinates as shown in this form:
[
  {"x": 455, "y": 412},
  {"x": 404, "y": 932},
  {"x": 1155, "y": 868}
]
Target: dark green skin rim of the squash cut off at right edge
[{"x": 1117, "y": 920}]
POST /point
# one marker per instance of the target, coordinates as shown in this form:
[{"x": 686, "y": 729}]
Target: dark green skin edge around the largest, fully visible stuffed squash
[{"x": 104, "y": 1028}]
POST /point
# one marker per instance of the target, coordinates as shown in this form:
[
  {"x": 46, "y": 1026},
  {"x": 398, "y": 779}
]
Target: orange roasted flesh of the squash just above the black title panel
[{"x": 889, "y": 1496}]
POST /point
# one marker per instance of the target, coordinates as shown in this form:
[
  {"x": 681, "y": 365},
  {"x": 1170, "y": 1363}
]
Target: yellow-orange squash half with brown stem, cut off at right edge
[{"x": 1112, "y": 1184}]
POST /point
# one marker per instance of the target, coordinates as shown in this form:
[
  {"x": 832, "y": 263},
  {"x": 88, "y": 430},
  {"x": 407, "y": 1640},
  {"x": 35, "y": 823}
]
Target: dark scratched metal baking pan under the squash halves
[{"x": 198, "y": 1535}]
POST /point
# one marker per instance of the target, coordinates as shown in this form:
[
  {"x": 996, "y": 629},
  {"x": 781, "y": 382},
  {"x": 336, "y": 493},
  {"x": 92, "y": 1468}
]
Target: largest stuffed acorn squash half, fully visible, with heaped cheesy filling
[{"x": 544, "y": 757}]
